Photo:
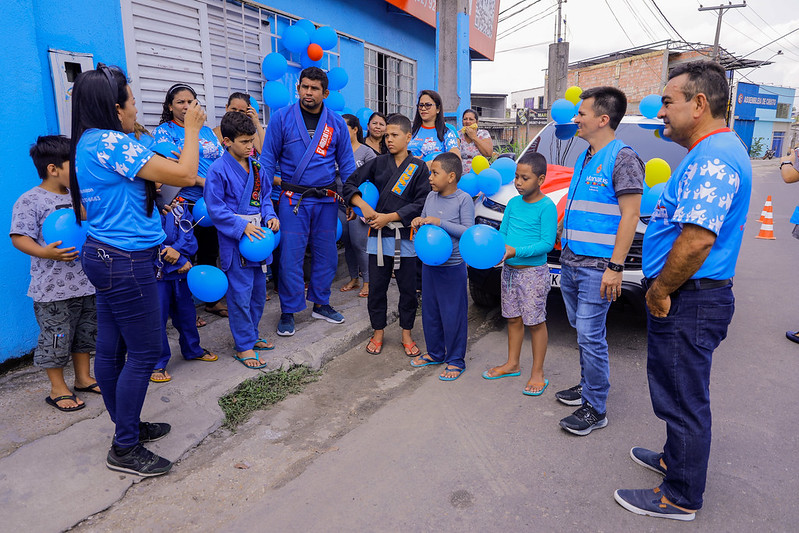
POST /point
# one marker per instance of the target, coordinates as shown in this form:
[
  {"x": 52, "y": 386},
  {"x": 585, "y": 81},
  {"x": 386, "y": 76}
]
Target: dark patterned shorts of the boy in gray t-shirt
[{"x": 66, "y": 327}]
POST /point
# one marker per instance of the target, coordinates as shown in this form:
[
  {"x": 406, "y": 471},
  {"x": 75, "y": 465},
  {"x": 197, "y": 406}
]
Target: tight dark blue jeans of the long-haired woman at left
[{"x": 128, "y": 330}]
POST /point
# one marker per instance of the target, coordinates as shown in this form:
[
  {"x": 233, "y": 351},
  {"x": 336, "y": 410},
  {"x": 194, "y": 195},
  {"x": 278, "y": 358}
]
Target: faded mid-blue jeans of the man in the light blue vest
[{"x": 587, "y": 312}]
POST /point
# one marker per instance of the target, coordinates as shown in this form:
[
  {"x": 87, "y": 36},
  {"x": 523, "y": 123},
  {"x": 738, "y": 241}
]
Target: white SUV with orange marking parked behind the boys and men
[{"x": 642, "y": 134}]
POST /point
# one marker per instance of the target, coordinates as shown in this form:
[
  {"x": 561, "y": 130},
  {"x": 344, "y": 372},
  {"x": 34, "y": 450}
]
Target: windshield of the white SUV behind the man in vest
[{"x": 645, "y": 139}]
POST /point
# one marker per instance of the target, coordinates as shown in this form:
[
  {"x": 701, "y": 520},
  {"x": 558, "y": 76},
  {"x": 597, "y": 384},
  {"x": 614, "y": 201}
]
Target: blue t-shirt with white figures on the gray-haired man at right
[{"x": 710, "y": 189}]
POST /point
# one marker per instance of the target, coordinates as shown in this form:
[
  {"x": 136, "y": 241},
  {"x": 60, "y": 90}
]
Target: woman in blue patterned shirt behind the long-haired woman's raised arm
[{"x": 179, "y": 98}]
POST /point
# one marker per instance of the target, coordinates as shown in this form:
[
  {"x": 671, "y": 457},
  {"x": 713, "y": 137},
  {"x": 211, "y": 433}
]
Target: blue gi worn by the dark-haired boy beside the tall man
[{"x": 231, "y": 191}]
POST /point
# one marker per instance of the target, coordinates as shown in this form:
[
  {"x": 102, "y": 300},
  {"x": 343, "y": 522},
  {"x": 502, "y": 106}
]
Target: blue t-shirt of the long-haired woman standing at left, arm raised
[{"x": 106, "y": 164}]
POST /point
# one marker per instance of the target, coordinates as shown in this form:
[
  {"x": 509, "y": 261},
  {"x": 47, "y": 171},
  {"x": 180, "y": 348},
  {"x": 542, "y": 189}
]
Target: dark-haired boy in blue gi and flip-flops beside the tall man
[{"x": 238, "y": 203}]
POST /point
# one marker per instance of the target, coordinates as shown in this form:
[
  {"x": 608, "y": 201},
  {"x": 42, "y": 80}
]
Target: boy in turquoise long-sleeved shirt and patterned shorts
[{"x": 529, "y": 226}]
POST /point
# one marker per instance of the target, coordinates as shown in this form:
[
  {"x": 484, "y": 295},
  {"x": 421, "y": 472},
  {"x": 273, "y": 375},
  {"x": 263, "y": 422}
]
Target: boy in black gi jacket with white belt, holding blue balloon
[{"x": 402, "y": 186}]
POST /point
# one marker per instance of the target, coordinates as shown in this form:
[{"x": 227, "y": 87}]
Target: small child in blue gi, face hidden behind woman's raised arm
[{"x": 171, "y": 266}]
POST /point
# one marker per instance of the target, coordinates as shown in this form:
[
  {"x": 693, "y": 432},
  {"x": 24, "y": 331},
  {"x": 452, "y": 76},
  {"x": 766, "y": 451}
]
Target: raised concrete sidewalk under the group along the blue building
[{"x": 59, "y": 458}]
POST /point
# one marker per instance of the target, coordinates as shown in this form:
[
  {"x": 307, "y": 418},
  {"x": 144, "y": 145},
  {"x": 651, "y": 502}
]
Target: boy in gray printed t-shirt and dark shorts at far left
[{"x": 63, "y": 298}]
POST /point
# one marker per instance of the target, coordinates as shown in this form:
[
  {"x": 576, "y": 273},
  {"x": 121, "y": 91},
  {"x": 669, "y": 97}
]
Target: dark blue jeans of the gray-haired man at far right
[{"x": 678, "y": 366}]
